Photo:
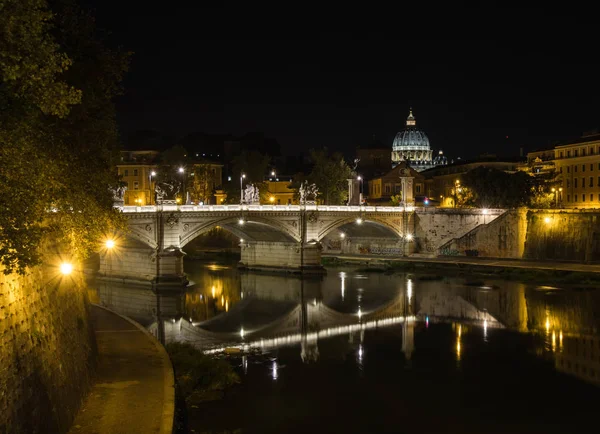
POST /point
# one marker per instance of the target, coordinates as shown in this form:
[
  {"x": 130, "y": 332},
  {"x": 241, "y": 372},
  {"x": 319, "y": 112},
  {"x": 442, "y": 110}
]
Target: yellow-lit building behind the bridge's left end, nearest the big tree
[{"x": 136, "y": 170}]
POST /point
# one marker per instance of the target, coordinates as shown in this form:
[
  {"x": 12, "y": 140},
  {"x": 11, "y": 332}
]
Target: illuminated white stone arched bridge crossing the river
[{"x": 280, "y": 237}]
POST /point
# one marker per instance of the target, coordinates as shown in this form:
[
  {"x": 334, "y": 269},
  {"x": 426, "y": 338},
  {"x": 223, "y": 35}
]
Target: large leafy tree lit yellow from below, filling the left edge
[{"x": 58, "y": 135}]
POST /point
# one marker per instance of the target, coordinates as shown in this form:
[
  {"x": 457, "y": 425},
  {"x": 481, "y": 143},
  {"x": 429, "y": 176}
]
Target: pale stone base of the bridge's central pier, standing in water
[{"x": 281, "y": 256}]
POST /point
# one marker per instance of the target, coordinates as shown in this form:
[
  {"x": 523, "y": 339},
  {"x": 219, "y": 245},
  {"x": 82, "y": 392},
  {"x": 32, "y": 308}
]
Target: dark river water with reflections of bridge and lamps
[{"x": 364, "y": 352}]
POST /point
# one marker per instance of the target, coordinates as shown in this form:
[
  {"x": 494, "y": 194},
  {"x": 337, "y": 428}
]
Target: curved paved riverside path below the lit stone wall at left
[{"x": 134, "y": 383}]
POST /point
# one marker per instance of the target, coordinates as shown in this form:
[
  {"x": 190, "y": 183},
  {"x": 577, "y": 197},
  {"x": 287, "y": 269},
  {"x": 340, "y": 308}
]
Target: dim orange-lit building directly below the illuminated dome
[{"x": 382, "y": 188}]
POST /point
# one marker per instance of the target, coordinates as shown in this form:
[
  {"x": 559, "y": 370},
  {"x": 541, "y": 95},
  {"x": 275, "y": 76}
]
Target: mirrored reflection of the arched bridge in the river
[{"x": 272, "y": 311}]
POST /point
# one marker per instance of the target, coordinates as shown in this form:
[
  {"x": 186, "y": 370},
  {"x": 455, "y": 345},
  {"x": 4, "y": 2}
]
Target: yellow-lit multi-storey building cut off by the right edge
[{"x": 577, "y": 164}]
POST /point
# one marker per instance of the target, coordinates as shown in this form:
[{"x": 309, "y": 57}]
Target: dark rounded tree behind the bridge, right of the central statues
[{"x": 330, "y": 173}]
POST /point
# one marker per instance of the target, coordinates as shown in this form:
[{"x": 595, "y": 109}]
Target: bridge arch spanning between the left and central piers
[{"x": 253, "y": 229}]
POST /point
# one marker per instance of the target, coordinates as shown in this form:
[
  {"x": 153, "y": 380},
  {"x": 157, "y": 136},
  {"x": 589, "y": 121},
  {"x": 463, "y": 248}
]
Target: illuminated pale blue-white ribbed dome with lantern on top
[{"x": 412, "y": 145}]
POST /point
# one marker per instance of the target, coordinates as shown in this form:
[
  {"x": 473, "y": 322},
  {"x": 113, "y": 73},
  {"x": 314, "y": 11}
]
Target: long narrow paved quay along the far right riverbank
[{"x": 486, "y": 262}]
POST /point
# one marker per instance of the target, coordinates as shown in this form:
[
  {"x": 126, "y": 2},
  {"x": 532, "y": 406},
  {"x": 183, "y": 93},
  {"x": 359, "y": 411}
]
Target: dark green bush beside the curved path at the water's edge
[{"x": 200, "y": 377}]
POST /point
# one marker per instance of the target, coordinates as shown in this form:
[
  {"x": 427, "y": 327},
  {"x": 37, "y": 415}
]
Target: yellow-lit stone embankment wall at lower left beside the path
[{"x": 47, "y": 350}]
